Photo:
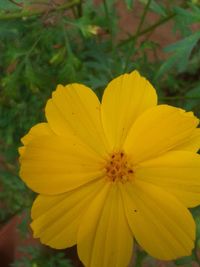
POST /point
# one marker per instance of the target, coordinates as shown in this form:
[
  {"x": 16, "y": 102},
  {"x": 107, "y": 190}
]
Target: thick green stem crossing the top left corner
[{"x": 26, "y": 14}]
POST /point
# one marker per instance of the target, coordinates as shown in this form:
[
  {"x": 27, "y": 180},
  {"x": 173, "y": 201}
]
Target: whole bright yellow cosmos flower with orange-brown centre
[{"x": 113, "y": 172}]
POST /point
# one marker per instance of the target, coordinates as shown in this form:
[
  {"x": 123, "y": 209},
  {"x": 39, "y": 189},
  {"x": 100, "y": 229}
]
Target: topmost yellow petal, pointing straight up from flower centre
[{"x": 124, "y": 99}]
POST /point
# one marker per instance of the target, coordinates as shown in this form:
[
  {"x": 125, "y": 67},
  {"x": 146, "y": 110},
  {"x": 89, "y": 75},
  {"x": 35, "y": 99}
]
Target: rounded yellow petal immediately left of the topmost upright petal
[{"x": 75, "y": 109}]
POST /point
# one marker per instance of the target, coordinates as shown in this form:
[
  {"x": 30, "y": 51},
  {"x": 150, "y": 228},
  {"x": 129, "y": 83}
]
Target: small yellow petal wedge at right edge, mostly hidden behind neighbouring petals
[{"x": 192, "y": 144}]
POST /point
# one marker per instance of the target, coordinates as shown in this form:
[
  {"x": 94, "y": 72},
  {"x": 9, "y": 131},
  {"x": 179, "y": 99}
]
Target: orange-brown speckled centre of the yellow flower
[{"x": 118, "y": 168}]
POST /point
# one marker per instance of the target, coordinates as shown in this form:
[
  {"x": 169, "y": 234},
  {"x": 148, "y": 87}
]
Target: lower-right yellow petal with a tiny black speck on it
[{"x": 159, "y": 222}]
